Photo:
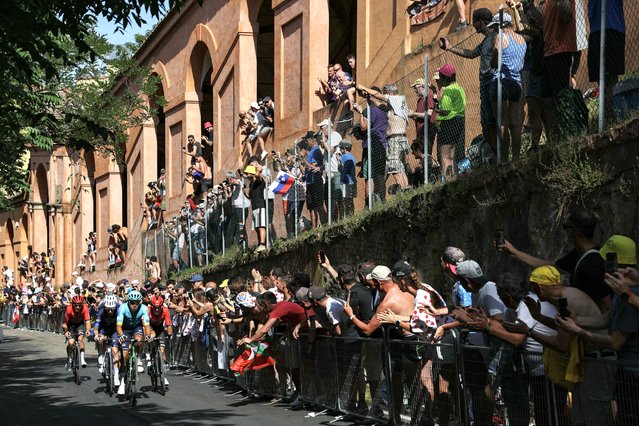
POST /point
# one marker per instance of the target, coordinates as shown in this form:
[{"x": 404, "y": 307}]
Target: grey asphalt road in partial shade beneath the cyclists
[{"x": 36, "y": 389}]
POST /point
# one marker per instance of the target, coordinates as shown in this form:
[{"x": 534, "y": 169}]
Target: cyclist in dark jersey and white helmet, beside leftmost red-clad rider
[{"x": 104, "y": 330}]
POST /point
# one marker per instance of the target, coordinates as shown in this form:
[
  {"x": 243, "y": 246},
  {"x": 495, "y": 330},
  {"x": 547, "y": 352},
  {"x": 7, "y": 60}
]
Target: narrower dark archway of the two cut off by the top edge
[{"x": 264, "y": 49}]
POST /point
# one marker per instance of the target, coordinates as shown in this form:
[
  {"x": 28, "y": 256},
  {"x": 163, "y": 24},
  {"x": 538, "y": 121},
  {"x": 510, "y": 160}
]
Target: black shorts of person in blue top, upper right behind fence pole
[{"x": 615, "y": 54}]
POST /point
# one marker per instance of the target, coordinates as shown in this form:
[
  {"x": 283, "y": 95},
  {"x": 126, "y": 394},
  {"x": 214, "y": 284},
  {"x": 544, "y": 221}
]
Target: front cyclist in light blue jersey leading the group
[{"x": 132, "y": 323}]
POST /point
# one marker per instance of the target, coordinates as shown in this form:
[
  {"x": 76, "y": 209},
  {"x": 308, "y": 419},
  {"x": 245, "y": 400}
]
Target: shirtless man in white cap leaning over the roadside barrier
[{"x": 401, "y": 304}]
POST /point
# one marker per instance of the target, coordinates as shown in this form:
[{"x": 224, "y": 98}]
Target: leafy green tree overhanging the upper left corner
[{"x": 44, "y": 47}]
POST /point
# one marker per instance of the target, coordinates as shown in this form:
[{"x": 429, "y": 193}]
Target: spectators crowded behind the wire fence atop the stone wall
[{"x": 547, "y": 90}]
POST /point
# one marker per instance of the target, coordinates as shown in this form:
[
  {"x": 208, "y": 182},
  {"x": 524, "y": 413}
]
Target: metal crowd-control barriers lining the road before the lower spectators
[{"x": 401, "y": 381}]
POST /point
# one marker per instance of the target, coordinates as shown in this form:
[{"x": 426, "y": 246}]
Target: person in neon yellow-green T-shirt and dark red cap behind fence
[{"x": 451, "y": 119}]
